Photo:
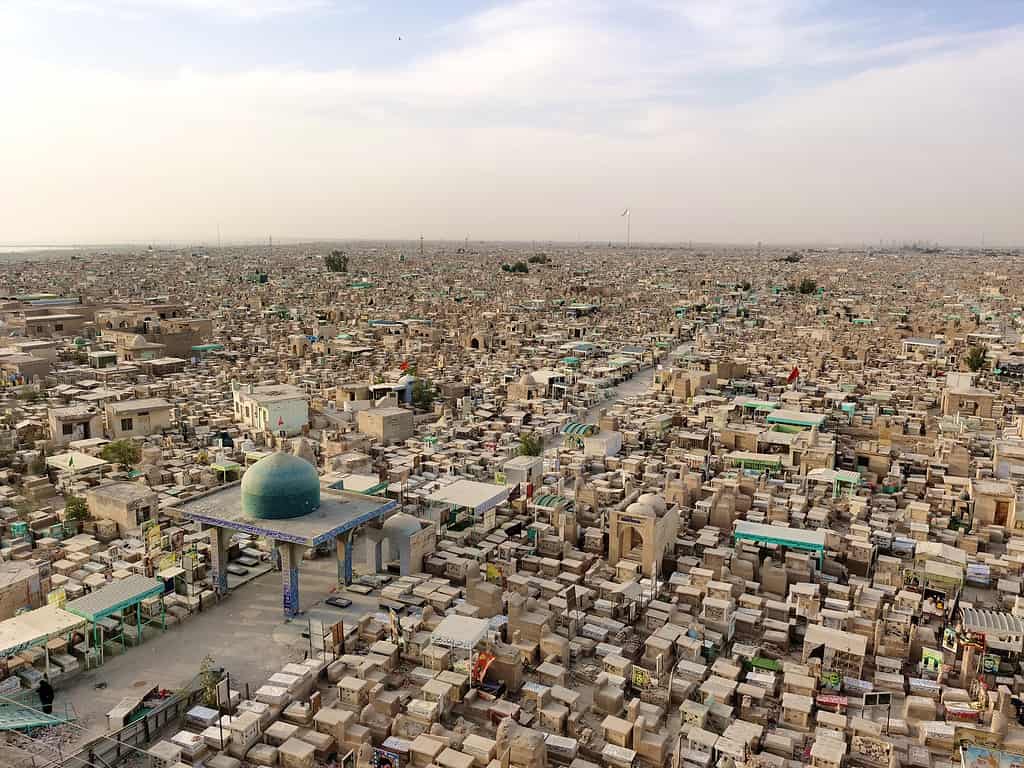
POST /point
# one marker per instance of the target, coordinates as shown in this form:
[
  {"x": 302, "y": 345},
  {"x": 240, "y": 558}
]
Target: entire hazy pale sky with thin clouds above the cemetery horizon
[{"x": 723, "y": 120}]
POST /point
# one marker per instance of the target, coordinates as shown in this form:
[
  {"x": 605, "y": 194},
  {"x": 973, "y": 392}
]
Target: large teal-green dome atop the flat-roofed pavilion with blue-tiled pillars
[{"x": 280, "y": 487}]
